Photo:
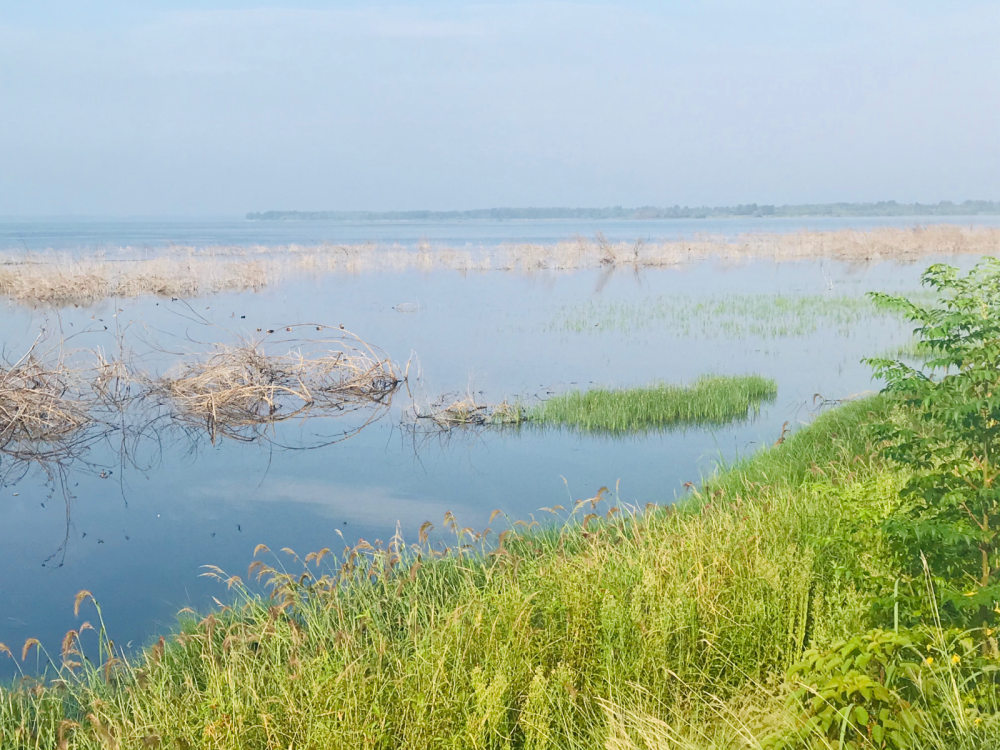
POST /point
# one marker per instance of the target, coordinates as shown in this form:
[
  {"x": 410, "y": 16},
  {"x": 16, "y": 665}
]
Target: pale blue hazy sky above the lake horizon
[{"x": 125, "y": 108}]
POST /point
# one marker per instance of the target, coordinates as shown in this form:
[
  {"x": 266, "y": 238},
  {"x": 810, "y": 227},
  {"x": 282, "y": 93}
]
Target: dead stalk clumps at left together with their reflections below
[{"x": 62, "y": 418}]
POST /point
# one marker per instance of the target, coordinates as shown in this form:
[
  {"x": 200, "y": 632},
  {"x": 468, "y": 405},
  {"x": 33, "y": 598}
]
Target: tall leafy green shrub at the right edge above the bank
[{"x": 950, "y": 511}]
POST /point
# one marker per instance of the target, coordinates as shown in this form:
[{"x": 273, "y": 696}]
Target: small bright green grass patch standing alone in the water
[{"x": 709, "y": 400}]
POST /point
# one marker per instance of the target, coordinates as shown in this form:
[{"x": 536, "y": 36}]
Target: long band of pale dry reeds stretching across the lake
[{"x": 186, "y": 272}]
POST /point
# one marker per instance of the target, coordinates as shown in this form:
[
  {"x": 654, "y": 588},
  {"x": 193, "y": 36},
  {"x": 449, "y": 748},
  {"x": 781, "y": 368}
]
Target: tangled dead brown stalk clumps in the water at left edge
[{"x": 55, "y": 403}]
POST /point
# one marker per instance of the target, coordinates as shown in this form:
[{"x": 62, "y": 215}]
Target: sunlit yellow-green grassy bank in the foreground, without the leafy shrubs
[{"x": 671, "y": 628}]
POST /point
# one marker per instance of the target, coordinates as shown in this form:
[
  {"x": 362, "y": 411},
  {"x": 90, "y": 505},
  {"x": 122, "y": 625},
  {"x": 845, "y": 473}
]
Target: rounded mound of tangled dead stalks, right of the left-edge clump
[{"x": 237, "y": 389}]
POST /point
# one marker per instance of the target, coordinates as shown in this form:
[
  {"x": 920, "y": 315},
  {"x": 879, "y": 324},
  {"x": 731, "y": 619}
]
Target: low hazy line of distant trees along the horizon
[{"x": 881, "y": 208}]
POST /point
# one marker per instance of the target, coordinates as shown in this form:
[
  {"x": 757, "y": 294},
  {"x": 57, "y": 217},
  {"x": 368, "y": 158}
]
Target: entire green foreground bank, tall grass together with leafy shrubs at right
[{"x": 837, "y": 590}]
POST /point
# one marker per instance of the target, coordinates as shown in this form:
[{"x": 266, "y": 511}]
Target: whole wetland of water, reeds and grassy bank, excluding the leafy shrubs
[{"x": 623, "y": 456}]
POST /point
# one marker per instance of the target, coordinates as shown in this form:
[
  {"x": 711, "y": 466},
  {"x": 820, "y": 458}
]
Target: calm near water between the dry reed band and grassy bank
[{"x": 138, "y": 537}]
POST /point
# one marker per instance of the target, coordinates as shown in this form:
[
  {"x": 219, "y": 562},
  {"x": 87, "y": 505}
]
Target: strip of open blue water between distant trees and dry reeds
[{"x": 71, "y": 234}]
